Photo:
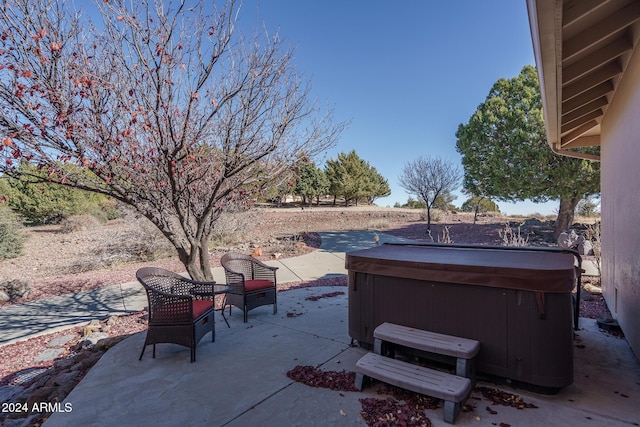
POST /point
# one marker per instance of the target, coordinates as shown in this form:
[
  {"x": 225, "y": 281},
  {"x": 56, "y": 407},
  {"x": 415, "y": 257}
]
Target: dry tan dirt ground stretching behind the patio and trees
[{"x": 83, "y": 253}]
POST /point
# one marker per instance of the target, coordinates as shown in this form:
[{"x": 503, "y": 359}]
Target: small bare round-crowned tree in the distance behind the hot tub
[{"x": 427, "y": 178}]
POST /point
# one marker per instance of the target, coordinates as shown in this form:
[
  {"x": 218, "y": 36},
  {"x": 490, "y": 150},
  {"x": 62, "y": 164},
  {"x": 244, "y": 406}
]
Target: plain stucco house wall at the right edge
[{"x": 620, "y": 184}]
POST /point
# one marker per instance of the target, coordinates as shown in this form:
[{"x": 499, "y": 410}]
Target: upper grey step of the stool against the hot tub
[{"x": 463, "y": 349}]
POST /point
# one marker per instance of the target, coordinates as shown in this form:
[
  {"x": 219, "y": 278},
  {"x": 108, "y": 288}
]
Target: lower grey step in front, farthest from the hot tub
[{"x": 450, "y": 388}]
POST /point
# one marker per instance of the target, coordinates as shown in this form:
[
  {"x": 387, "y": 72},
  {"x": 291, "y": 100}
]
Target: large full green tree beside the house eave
[{"x": 505, "y": 153}]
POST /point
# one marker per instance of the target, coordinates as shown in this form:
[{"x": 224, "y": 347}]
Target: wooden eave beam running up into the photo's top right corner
[{"x": 613, "y": 23}]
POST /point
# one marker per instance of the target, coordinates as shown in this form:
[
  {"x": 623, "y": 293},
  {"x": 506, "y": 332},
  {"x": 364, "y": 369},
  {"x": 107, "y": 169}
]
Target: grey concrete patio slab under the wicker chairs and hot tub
[{"x": 241, "y": 379}]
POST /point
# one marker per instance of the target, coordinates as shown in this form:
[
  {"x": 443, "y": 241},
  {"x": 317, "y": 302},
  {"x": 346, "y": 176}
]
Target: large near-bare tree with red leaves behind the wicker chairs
[{"x": 166, "y": 104}]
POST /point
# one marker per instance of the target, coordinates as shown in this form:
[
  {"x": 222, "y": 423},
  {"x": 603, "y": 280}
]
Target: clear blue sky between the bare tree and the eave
[{"x": 406, "y": 73}]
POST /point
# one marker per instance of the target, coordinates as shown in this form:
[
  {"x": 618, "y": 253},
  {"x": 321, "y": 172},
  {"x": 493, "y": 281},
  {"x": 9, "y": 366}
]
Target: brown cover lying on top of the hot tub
[{"x": 527, "y": 269}]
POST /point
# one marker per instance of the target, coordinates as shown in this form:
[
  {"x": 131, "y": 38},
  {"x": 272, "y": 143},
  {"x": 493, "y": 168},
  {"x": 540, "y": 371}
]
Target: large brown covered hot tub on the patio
[{"x": 516, "y": 301}]
